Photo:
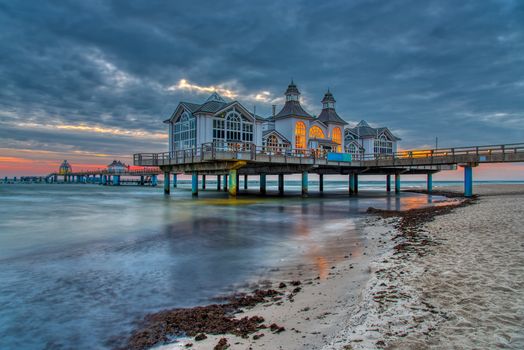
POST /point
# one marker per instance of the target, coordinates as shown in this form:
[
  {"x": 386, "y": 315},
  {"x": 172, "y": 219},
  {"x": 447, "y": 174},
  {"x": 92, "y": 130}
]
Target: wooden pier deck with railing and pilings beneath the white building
[{"x": 232, "y": 160}]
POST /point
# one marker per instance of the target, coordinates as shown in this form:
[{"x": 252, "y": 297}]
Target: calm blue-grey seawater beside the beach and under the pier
[{"x": 81, "y": 264}]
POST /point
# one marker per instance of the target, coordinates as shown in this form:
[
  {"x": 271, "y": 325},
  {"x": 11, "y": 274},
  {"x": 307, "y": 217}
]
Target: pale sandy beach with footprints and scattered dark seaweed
[{"x": 453, "y": 281}]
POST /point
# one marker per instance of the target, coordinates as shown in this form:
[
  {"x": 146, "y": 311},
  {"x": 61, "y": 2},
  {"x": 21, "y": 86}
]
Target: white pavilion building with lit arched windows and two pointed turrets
[{"x": 230, "y": 124}]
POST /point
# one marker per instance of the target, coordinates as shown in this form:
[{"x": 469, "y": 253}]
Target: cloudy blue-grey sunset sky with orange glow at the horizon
[{"x": 92, "y": 81}]
